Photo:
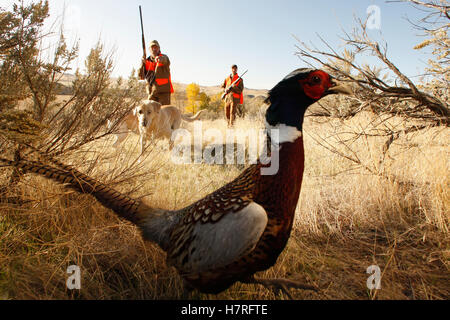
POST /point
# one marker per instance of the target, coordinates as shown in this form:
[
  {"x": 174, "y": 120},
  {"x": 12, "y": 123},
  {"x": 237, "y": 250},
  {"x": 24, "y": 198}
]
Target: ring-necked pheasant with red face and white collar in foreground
[{"x": 239, "y": 229}]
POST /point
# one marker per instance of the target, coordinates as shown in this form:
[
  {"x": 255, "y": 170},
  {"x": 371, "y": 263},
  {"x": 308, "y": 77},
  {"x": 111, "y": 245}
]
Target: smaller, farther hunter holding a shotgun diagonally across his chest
[{"x": 235, "y": 97}]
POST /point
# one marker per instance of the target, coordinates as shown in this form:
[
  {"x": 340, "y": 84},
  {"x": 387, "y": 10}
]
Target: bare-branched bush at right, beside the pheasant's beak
[{"x": 382, "y": 90}]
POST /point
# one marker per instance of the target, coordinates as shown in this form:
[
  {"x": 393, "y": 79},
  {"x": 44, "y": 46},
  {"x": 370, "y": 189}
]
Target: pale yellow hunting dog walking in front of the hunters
[{"x": 150, "y": 118}]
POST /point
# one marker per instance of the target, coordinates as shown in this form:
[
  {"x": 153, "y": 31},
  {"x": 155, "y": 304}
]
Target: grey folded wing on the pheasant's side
[{"x": 206, "y": 244}]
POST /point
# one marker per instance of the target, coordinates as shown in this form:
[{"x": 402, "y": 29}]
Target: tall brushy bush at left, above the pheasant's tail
[{"x": 34, "y": 120}]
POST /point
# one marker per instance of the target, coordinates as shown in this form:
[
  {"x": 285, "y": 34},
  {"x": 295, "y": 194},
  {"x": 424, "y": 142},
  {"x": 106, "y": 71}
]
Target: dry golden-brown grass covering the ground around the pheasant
[{"x": 346, "y": 221}]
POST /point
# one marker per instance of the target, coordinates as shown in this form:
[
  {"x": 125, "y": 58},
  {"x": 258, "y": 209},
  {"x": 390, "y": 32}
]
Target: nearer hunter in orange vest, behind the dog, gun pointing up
[{"x": 156, "y": 70}]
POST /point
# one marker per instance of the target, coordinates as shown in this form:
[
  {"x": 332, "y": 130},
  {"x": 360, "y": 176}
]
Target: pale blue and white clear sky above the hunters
[{"x": 203, "y": 38}]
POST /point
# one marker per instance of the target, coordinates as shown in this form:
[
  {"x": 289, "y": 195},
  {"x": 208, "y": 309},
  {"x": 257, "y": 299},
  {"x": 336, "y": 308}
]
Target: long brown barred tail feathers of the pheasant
[{"x": 130, "y": 209}]
